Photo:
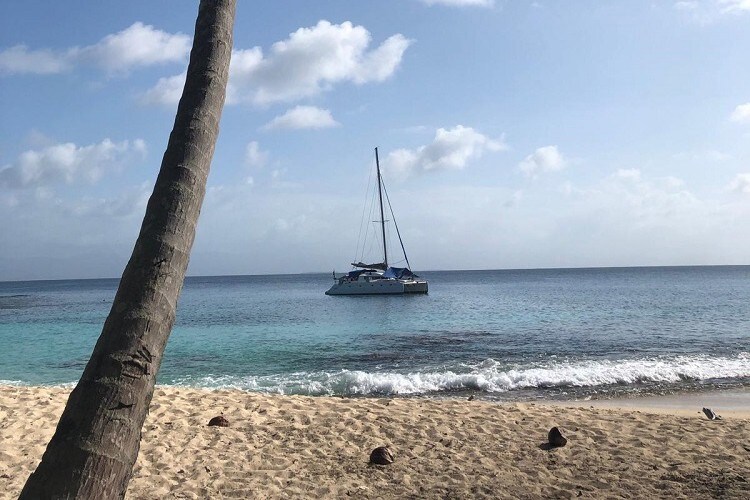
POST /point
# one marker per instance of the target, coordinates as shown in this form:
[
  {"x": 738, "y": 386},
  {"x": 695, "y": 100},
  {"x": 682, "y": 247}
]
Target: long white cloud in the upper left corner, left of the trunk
[{"x": 137, "y": 45}]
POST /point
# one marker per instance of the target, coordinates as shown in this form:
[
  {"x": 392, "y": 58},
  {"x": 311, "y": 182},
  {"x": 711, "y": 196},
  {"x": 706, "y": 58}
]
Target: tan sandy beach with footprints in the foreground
[{"x": 302, "y": 447}]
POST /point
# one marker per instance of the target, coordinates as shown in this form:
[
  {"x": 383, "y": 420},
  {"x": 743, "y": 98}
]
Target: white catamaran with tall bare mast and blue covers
[{"x": 379, "y": 278}]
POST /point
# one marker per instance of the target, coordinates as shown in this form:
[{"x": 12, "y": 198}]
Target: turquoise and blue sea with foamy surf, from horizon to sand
[{"x": 526, "y": 334}]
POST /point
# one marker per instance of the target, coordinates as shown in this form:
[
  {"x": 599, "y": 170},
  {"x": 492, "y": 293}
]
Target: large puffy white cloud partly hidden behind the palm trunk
[{"x": 312, "y": 60}]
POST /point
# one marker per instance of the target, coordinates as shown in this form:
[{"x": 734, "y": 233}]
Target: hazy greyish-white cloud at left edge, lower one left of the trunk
[{"x": 68, "y": 163}]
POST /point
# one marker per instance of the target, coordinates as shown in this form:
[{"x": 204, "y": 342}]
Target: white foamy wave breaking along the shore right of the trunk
[{"x": 491, "y": 376}]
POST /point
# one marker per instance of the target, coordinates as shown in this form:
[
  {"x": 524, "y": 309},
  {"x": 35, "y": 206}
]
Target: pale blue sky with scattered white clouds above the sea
[{"x": 512, "y": 134}]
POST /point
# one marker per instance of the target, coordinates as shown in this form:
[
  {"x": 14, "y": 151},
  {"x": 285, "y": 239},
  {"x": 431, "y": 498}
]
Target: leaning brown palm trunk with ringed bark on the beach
[{"x": 97, "y": 439}]
